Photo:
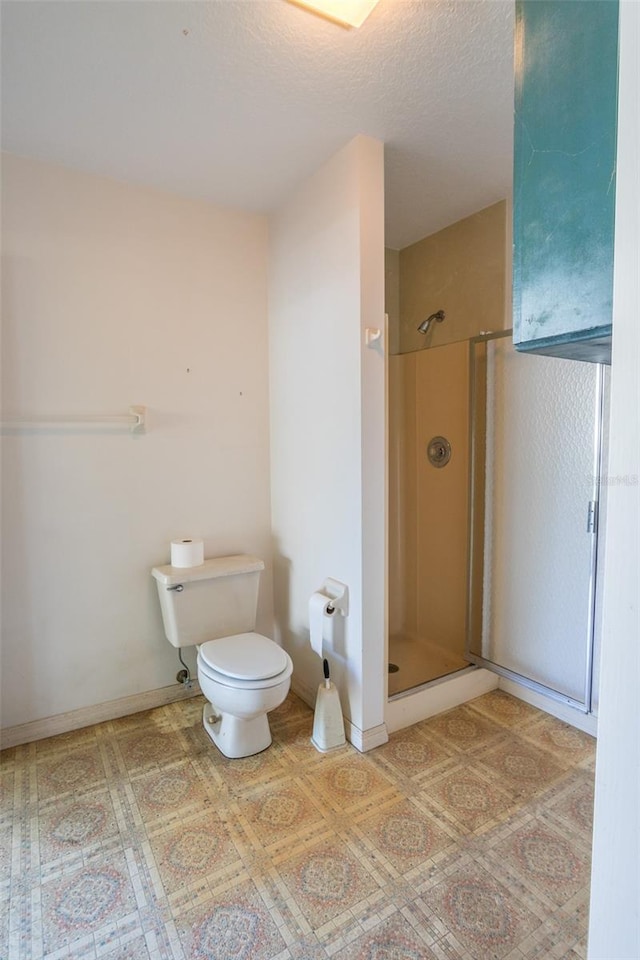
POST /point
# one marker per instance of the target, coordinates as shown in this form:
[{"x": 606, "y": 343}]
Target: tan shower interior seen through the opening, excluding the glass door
[{"x": 440, "y": 292}]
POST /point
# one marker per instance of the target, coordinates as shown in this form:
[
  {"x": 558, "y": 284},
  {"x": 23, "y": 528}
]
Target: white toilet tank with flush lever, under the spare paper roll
[{"x": 218, "y": 598}]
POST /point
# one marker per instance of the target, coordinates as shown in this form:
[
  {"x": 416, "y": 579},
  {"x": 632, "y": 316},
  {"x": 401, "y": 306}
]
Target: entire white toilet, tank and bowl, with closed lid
[{"x": 242, "y": 674}]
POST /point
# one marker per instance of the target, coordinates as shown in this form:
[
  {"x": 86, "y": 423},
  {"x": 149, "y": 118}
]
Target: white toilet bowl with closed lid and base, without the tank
[{"x": 243, "y": 677}]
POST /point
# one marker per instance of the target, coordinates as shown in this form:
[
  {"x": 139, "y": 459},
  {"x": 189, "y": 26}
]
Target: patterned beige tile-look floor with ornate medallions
[{"x": 466, "y": 837}]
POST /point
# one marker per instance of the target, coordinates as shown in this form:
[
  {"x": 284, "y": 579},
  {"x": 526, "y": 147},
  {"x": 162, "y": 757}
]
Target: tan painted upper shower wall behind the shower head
[{"x": 461, "y": 270}]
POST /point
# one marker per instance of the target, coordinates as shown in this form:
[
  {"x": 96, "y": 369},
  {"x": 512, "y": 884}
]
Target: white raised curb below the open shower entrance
[{"x": 438, "y": 697}]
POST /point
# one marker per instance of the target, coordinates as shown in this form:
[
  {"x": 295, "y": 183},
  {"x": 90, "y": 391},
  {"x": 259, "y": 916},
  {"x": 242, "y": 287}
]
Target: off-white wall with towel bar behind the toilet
[{"x": 115, "y": 295}]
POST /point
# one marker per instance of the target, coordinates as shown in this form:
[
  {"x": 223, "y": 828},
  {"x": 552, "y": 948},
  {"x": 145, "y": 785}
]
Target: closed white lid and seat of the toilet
[{"x": 247, "y": 661}]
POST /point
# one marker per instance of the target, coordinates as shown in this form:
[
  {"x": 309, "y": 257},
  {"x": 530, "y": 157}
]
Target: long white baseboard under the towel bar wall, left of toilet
[{"x": 86, "y": 716}]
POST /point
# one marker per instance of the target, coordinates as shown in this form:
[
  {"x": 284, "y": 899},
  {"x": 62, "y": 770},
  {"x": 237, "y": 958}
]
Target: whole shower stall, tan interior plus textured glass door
[{"x": 494, "y": 482}]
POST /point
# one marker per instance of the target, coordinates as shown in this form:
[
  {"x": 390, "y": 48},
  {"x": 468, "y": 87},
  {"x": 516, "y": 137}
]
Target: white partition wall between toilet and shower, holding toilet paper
[{"x": 327, "y": 424}]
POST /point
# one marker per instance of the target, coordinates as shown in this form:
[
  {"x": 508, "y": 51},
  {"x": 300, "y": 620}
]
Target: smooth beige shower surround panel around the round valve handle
[{"x": 429, "y": 505}]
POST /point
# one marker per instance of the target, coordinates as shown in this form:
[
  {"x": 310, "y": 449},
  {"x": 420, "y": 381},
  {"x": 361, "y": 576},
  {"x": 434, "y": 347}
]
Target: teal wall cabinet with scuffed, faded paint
[{"x": 564, "y": 176}]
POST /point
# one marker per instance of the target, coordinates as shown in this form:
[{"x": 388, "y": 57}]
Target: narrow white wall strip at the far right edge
[{"x": 615, "y": 887}]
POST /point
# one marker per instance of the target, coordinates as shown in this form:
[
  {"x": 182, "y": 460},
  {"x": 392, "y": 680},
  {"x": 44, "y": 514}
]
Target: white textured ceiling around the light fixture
[{"x": 237, "y": 101}]
